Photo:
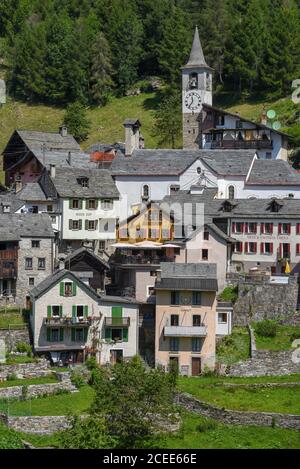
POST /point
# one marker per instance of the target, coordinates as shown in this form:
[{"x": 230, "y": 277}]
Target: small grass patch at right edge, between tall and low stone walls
[{"x": 282, "y": 340}]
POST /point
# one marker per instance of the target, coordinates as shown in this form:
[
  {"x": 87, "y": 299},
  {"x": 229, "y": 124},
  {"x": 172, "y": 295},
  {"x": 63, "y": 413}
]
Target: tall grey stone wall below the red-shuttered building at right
[{"x": 258, "y": 300}]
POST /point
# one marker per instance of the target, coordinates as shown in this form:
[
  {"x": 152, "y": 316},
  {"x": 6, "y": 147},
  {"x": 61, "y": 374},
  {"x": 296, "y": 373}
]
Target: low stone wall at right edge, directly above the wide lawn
[{"x": 266, "y": 363}]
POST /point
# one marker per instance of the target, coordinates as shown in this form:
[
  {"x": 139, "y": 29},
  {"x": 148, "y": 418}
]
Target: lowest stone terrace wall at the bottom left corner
[{"x": 37, "y": 425}]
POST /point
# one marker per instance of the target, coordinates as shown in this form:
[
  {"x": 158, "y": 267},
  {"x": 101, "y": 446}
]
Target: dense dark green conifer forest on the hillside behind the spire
[{"x": 59, "y": 51}]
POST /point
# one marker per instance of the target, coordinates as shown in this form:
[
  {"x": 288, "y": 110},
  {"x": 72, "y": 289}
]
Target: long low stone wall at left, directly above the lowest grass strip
[{"x": 35, "y": 390}]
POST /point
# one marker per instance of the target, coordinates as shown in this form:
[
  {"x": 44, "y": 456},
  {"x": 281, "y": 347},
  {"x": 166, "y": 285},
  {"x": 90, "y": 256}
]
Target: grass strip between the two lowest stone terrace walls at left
[{"x": 60, "y": 404}]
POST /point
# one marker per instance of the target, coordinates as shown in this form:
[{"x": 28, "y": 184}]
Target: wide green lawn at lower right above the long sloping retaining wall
[{"x": 279, "y": 399}]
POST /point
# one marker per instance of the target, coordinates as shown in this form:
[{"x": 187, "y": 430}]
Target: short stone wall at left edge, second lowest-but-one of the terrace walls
[{"x": 26, "y": 370}]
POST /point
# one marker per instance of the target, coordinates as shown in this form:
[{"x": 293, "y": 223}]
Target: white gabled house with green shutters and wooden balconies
[{"x": 70, "y": 322}]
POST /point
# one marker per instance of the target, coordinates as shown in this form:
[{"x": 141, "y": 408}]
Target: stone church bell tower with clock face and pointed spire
[{"x": 196, "y": 90}]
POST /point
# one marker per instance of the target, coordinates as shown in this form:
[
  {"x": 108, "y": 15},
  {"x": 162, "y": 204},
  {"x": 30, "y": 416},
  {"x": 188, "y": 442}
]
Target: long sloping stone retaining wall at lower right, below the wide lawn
[{"x": 235, "y": 417}]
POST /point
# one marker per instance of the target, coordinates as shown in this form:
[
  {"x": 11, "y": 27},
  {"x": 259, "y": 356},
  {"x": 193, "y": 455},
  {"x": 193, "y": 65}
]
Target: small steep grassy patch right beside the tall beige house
[{"x": 234, "y": 347}]
